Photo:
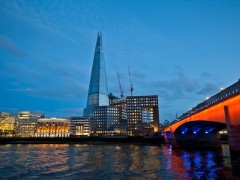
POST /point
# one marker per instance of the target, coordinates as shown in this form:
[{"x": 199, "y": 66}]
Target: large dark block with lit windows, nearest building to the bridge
[{"x": 142, "y": 115}]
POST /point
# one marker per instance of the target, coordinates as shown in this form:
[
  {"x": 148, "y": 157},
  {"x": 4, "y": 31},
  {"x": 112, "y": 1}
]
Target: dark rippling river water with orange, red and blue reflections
[{"x": 111, "y": 161}]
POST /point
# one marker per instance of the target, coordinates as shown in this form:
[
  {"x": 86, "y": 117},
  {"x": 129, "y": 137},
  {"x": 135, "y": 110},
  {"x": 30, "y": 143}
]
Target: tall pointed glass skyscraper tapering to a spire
[{"x": 98, "y": 91}]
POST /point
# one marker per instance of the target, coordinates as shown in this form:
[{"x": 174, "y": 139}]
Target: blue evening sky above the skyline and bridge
[{"x": 182, "y": 51}]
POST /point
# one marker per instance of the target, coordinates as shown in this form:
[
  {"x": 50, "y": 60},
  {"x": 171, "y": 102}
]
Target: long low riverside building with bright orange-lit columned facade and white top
[{"x": 53, "y": 127}]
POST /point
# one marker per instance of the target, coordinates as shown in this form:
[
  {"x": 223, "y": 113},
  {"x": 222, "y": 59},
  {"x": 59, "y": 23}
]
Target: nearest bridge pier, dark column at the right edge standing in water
[{"x": 234, "y": 143}]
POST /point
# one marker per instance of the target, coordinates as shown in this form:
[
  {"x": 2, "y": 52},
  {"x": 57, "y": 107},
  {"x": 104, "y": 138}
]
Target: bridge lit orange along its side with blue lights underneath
[{"x": 199, "y": 127}]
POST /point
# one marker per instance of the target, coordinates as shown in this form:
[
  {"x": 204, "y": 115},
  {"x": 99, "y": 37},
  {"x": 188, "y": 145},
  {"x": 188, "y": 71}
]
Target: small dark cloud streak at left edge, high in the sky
[{"x": 8, "y": 46}]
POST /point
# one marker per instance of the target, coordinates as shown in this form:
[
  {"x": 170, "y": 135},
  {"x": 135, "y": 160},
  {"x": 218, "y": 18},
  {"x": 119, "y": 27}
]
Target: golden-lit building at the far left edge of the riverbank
[{"x": 7, "y": 124}]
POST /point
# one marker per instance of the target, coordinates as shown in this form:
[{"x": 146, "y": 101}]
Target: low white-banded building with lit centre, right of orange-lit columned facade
[{"x": 80, "y": 126}]
